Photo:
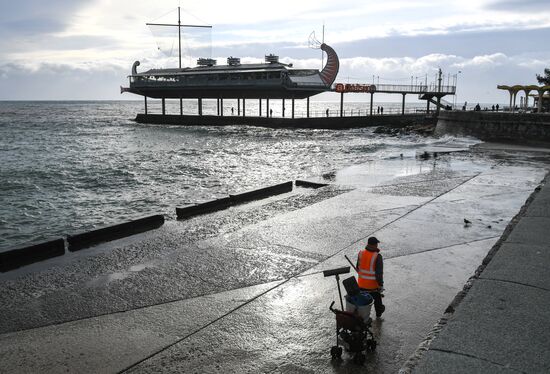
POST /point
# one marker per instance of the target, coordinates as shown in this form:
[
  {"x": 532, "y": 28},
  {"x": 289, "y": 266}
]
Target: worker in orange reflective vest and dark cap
[{"x": 370, "y": 269}]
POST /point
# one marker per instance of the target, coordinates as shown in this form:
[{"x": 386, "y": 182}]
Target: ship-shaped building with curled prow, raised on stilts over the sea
[{"x": 269, "y": 80}]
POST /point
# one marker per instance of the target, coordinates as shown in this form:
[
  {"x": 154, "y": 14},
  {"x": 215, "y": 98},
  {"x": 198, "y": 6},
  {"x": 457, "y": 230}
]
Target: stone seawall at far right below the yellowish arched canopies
[{"x": 529, "y": 128}]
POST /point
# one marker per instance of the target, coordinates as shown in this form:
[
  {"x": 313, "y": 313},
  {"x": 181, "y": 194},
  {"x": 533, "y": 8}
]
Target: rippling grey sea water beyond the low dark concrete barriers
[{"x": 66, "y": 167}]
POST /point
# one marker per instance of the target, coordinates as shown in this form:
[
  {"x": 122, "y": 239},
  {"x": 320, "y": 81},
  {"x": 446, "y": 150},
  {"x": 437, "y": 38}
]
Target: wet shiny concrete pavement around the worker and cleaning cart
[{"x": 242, "y": 290}]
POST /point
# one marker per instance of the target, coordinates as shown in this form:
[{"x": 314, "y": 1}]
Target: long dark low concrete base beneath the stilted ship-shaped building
[{"x": 313, "y": 123}]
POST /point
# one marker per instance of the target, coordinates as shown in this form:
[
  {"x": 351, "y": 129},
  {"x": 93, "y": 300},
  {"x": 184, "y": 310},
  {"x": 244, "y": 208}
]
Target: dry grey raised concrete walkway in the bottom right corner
[{"x": 501, "y": 323}]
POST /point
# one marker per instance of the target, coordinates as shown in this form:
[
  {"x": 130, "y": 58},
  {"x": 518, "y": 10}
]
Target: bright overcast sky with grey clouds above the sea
[{"x": 75, "y": 49}]
